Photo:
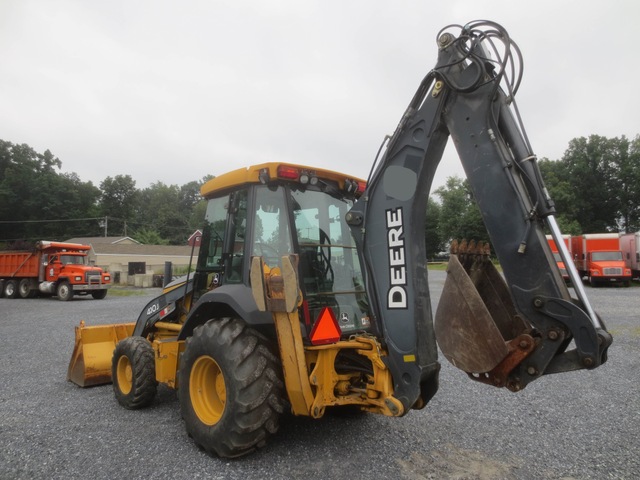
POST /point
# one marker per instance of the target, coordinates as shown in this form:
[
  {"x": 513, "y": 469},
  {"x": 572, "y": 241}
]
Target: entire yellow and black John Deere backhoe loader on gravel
[{"x": 311, "y": 288}]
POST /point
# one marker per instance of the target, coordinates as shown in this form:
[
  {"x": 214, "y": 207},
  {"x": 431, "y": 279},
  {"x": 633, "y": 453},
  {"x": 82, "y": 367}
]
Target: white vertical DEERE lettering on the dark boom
[{"x": 397, "y": 294}]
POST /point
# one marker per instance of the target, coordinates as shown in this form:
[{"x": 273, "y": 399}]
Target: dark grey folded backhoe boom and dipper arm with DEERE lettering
[{"x": 463, "y": 97}]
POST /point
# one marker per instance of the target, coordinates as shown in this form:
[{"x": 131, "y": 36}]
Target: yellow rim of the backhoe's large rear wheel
[{"x": 207, "y": 390}]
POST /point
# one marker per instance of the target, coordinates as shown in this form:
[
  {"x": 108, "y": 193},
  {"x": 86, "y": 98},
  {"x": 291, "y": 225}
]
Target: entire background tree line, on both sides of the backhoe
[{"x": 595, "y": 186}]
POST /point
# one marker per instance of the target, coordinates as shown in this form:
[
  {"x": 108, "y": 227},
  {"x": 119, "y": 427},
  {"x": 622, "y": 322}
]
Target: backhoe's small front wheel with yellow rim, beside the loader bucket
[{"x": 133, "y": 371}]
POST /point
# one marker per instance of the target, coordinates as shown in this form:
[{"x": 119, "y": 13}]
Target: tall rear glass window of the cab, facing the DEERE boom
[{"x": 329, "y": 264}]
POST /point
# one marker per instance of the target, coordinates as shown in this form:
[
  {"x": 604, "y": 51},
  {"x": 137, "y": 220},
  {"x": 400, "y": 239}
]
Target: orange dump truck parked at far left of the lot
[{"x": 51, "y": 268}]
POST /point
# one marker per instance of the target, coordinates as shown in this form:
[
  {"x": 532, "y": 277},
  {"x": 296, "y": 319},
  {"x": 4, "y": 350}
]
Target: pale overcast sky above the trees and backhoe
[{"x": 172, "y": 91}]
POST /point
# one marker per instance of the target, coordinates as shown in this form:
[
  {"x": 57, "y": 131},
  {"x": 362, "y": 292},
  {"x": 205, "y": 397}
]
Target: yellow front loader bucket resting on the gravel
[{"x": 91, "y": 359}]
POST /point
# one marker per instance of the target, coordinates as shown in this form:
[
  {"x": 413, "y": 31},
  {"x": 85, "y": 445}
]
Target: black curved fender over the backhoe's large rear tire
[{"x": 228, "y": 301}]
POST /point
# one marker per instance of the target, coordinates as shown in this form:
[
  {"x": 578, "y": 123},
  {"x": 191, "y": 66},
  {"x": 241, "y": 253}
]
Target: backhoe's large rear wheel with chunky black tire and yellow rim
[{"x": 230, "y": 388}]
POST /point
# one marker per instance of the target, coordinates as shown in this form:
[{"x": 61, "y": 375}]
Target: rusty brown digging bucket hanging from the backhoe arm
[{"x": 476, "y": 324}]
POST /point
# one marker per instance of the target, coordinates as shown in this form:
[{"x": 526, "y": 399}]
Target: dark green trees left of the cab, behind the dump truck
[{"x": 38, "y": 201}]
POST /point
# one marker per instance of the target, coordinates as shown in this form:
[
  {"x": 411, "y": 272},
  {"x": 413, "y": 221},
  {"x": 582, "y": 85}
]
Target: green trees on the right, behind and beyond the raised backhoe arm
[{"x": 595, "y": 187}]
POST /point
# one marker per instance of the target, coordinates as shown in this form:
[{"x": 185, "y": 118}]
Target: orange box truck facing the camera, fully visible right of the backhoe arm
[{"x": 598, "y": 256}]
